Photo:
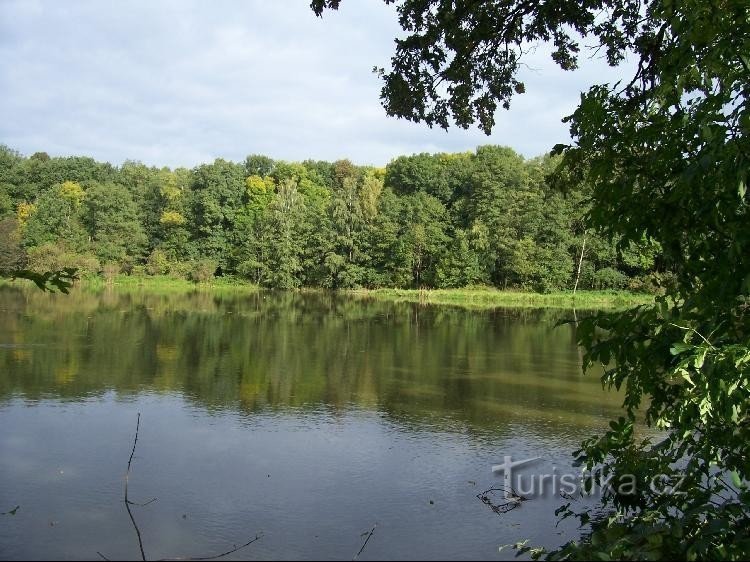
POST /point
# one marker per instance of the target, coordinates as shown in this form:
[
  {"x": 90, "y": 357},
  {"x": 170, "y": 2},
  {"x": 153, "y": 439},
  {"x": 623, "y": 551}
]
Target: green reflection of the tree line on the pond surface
[{"x": 281, "y": 350}]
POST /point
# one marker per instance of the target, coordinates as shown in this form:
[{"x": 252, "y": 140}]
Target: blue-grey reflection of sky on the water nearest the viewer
[{"x": 312, "y": 481}]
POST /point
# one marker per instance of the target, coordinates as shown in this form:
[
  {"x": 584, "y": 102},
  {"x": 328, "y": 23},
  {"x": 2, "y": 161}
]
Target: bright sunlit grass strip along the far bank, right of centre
[{"x": 487, "y": 297}]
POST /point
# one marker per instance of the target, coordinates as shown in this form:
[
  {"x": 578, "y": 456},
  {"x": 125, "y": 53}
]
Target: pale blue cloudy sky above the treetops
[{"x": 178, "y": 82}]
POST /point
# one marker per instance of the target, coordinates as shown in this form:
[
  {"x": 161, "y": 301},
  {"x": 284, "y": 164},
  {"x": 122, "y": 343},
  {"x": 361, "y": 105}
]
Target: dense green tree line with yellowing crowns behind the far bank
[{"x": 427, "y": 220}]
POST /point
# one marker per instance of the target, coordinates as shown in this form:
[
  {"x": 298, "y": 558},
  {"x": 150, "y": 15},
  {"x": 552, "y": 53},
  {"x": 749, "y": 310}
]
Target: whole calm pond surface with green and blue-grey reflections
[{"x": 307, "y": 418}]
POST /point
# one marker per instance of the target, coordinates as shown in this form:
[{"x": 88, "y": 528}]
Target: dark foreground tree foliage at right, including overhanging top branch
[{"x": 666, "y": 156}]
